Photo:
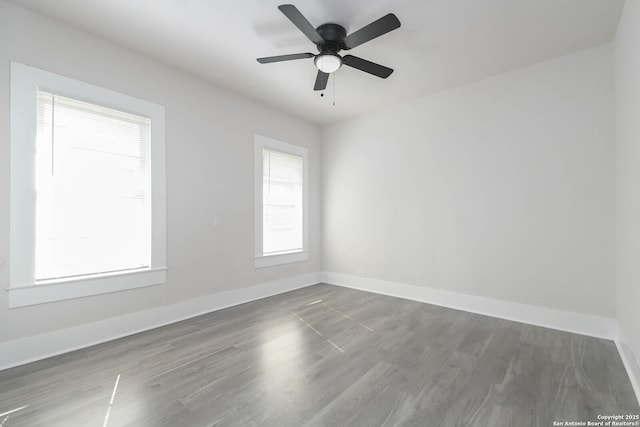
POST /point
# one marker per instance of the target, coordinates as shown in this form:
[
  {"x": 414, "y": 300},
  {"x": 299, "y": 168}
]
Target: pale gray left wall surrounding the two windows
[{"x": 210, "y": 135}]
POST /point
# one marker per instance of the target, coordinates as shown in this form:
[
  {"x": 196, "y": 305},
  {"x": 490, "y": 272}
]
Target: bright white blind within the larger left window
[{"x": 93, "y": 210}]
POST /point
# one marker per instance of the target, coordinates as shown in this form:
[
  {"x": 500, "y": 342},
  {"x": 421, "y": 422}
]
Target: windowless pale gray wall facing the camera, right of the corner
[{"x": 503, "y": 188}]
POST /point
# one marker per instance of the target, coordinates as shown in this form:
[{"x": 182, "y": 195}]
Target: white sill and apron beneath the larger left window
[{"x": 64, "y": 289}]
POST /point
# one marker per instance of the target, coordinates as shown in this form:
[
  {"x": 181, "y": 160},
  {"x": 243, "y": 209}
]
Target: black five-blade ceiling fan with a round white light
[{"x": 331, "y": 39}]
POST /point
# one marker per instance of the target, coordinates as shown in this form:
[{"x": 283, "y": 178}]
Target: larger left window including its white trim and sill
[{"x": 87, "y": 180}]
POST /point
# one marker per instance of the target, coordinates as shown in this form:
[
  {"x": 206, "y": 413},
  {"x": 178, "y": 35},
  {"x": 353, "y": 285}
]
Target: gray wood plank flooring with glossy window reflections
[{"x": 326, "y": 356}]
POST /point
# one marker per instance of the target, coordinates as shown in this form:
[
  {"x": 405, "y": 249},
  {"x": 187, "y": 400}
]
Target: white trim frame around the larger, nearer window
[{"x": 23, "y": 289}]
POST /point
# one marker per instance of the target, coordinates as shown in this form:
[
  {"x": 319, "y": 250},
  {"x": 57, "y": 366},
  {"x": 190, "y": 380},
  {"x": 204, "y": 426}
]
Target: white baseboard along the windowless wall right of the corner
[{"x": 580, "y": 323}]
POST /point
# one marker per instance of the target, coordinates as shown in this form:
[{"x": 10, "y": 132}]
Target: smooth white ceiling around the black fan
[{"x": 441, "y": 43}]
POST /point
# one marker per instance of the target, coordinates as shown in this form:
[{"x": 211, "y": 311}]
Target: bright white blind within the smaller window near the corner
[{"x": 282, "y": 196}]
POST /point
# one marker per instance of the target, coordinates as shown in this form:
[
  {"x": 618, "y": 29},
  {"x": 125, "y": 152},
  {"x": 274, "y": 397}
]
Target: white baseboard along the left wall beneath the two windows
[{"x": 30, "y": 349}]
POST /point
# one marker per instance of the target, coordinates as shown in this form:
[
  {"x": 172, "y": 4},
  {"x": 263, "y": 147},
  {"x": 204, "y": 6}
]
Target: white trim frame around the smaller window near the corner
[{"x": 260, "y": 259}]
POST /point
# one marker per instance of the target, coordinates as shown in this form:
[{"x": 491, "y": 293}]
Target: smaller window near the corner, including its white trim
[{"x": 281, "y": 202}]
